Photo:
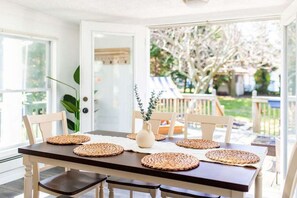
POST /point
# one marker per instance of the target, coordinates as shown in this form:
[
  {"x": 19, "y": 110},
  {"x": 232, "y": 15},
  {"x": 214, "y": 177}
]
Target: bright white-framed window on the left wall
[{"x": 24, "y": 65}]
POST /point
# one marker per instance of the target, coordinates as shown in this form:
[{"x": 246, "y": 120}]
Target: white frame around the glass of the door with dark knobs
[{"x": 140, "y": 61}]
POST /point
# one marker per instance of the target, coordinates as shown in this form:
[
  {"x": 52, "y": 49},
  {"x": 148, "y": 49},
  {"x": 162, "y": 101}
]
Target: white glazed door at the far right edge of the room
[{"x": 289, "y": 86}]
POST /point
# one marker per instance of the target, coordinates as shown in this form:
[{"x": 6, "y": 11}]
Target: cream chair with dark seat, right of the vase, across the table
[{"x": 208, "y": 124}]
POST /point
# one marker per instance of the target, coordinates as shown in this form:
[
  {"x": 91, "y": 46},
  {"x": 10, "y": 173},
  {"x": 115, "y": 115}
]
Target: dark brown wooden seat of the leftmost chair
[{"x": 71, "y": 182}]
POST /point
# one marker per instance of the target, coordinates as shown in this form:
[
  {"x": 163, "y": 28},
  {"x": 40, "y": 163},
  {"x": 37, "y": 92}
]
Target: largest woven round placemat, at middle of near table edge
[{"x": 170, "y": 161}]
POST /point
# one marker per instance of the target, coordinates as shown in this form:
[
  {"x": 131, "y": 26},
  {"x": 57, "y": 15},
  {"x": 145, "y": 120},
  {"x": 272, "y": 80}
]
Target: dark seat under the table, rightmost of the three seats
[{"x": 185, "y": 192}]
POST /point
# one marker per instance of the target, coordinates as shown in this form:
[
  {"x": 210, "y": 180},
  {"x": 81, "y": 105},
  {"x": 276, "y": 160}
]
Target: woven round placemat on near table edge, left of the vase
[{"x": 98, "y": 150}]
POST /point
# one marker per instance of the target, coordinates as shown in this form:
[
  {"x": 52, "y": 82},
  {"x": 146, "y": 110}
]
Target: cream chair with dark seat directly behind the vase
[{"x": 135, "y": 185}]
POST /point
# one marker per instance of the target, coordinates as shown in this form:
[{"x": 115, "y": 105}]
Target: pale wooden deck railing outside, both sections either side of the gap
[{"x": 265, "y": 117}]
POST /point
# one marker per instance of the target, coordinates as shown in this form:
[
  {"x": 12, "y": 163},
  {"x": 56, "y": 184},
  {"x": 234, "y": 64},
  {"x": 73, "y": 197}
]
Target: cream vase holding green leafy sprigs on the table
[{"x": 145, "y": 138}]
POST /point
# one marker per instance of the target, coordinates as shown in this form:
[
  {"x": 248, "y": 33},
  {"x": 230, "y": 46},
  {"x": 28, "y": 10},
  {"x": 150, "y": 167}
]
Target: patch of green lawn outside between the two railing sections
[{"x": 240, "y": 108}]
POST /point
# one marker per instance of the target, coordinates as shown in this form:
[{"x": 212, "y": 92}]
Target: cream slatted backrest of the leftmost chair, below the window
[{"x": 45, "y": 123}]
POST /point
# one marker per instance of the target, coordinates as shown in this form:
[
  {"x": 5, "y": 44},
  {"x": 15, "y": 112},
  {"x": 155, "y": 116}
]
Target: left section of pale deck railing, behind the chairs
[{"x": 206, "y": 104}]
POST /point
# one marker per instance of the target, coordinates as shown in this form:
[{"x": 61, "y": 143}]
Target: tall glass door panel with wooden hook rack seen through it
[{"x": 113, "y": 82}]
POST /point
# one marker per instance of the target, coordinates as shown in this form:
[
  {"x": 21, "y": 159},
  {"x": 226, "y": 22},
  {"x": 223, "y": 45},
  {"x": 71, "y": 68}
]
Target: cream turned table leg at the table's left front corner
[{"x": 27, "y": 177}]
